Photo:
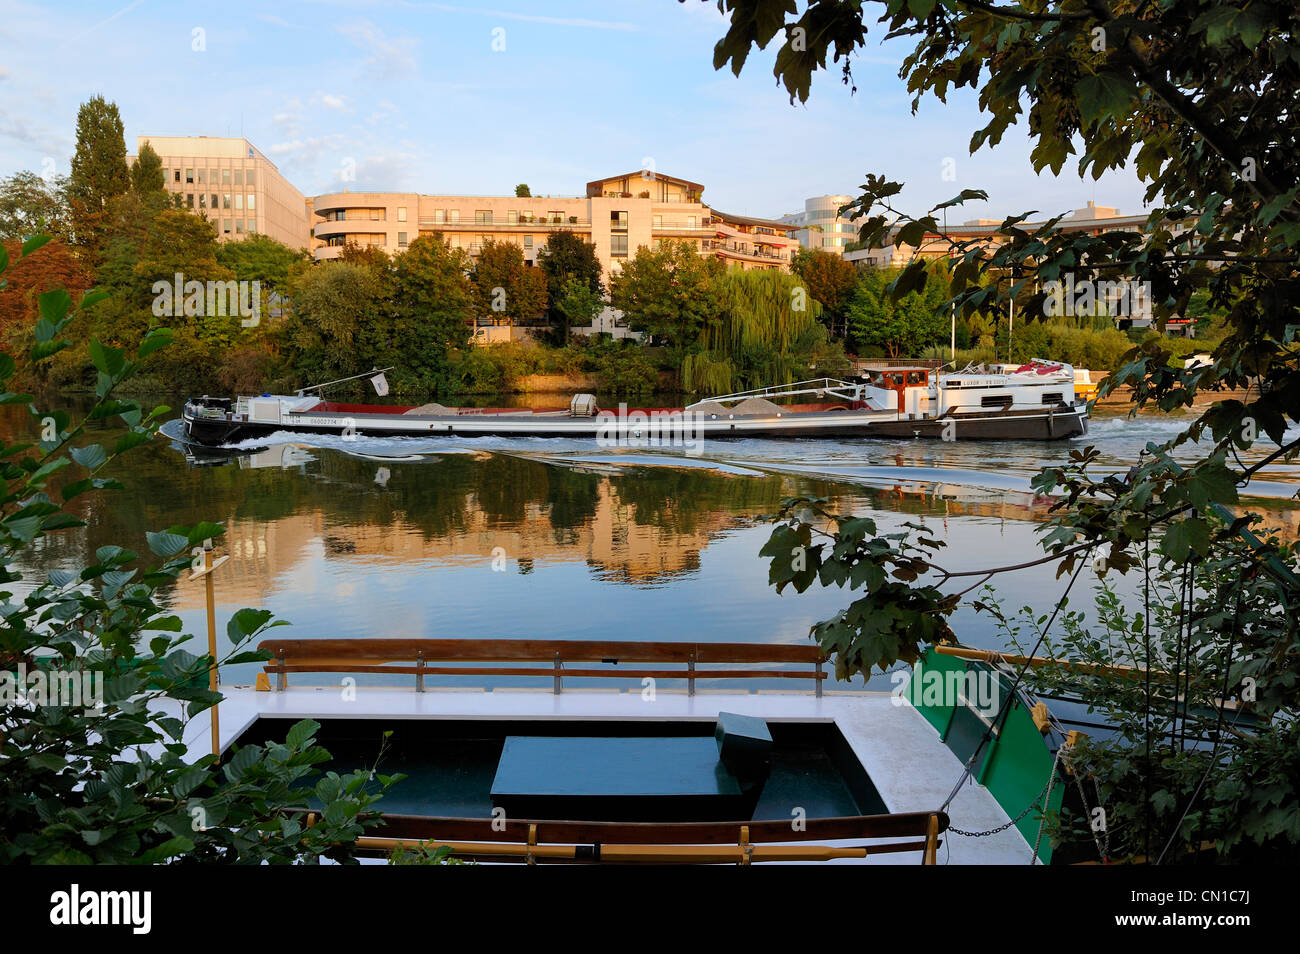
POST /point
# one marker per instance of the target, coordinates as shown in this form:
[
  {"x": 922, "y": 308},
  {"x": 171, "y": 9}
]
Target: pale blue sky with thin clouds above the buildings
[{"x": 471, "y": 99}]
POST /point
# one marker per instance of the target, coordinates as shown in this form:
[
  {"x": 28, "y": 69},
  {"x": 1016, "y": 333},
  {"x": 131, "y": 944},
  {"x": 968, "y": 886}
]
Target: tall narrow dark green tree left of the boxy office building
[{"x": 99, "y": 172}]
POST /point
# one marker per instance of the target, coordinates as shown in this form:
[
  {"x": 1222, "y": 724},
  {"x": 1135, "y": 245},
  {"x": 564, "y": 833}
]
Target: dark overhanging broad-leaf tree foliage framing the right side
[{"x": 1199, "y": 98}]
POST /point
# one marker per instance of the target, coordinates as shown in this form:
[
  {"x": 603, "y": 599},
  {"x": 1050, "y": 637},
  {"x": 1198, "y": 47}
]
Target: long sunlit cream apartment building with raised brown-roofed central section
[{"x": 618, "y": 215}]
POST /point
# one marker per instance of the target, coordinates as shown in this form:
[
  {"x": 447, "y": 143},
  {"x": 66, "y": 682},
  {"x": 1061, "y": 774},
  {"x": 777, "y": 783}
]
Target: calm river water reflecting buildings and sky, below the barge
[{"x": 558, "y": 539}]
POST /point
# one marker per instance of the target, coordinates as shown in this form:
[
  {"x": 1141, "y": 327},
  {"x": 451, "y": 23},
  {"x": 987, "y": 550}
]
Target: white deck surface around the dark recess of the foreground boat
[{"x": 908, "y": 764}]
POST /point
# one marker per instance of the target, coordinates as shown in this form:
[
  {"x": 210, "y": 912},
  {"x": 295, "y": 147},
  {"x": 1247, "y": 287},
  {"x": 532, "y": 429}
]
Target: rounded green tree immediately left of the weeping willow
[{"x": 669, "y": 293}]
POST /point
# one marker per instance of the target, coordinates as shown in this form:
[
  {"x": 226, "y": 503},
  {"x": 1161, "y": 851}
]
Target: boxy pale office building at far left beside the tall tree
[{"x": 235, "y": 187}]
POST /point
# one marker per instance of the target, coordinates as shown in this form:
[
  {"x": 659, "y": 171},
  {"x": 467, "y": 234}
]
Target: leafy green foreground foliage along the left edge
[{"x": 102, "y": 774}]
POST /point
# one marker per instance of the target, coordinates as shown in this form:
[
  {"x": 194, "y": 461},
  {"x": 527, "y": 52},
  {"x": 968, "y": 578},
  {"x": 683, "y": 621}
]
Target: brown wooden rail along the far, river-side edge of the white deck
[{"x": 544, "y": 658}]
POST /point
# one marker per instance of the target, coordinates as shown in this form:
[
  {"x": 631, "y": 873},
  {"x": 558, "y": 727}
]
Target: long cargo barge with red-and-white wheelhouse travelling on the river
[{"x": 1030, "y": 402}]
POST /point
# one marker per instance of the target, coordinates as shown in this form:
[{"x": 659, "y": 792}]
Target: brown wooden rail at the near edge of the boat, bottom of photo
[{"x": 682, "y": 843}]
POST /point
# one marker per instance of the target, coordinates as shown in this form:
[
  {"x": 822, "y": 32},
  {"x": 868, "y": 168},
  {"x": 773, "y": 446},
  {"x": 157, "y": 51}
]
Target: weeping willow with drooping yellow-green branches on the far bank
[{"x": 766, "y": 326}]
